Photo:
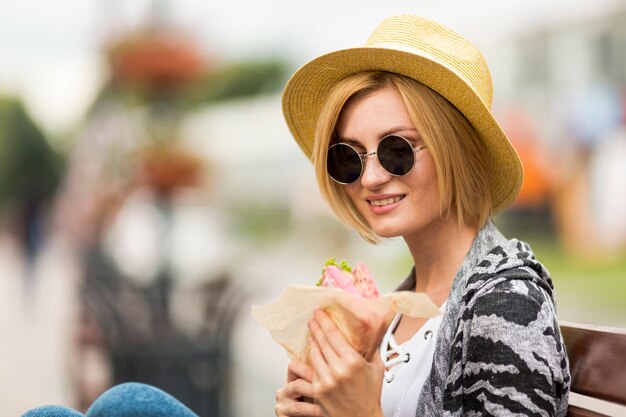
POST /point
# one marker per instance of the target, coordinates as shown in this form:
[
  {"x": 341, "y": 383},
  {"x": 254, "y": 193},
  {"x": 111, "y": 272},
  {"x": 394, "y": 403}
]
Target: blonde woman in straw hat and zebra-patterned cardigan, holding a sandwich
[{"x": 404, "y": 144}]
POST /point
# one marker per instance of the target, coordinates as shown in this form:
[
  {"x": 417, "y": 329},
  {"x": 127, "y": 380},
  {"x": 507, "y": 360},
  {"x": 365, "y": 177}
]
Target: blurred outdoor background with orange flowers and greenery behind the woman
[{"x": 150, "y": 191}]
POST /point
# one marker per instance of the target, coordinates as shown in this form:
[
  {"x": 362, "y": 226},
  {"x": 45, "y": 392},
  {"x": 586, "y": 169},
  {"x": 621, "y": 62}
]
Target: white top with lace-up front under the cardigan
[{"x": 407, "y": 366}]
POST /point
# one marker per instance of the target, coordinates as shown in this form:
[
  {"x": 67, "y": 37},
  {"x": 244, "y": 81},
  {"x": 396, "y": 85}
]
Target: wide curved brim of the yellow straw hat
[{"x": 307, "y": 89}]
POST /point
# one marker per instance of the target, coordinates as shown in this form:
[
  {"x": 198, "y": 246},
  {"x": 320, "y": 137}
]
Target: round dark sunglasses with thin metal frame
[{"x": 396, "y": 155}]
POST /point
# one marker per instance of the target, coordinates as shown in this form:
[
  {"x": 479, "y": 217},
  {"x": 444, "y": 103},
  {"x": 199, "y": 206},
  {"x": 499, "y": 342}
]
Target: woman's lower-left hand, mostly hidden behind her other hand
[{"x": 296, "y": 397}]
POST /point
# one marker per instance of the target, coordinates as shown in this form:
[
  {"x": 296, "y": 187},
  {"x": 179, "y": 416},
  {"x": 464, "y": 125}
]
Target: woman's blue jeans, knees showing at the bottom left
[{"x": 126, "y": 400}]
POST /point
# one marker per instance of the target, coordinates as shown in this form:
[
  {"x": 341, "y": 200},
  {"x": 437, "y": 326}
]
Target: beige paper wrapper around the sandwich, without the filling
[{"x": 286, "y": 318}]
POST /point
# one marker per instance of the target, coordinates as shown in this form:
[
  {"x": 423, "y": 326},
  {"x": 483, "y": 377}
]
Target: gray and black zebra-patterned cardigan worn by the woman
[{"x": 499, "y": 350}]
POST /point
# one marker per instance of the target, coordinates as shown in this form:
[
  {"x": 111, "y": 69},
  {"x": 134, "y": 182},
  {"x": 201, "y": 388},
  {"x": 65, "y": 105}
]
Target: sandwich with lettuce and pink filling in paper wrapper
[{"x": 340, "y": 291}]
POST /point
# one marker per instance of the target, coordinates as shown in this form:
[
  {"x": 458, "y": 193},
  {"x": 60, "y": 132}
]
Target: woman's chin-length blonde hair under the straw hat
[{"x": 457, "y": 150}]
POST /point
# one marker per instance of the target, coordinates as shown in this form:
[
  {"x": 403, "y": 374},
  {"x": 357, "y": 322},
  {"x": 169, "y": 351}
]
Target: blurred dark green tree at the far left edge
[{"x": 30, "y": 169}]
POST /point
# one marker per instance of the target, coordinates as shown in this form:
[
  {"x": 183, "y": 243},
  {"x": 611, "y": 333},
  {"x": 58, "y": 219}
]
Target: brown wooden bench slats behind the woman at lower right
[{"x": 597, "y": 358}]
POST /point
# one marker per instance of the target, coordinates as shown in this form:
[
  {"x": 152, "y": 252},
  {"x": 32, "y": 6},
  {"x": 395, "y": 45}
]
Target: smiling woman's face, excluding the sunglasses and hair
[{"x": 405, "y": 206}]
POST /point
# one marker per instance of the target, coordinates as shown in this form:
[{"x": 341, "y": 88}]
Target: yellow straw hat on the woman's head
[{"x": 425, "y": 51}]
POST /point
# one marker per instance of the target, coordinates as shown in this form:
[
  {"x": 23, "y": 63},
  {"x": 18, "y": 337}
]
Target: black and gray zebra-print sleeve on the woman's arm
[{"x": 514, "y": 358}]
